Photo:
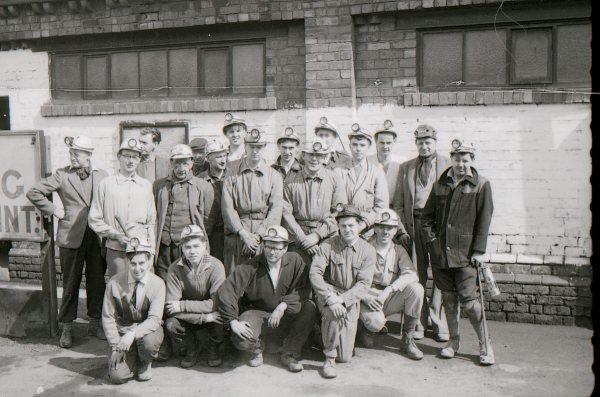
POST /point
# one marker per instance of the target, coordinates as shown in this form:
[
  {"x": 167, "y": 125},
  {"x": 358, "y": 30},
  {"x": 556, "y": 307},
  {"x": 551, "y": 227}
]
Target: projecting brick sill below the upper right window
[{"x": 508, "y": 97}]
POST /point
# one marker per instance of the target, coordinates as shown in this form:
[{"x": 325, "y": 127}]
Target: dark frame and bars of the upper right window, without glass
[{"x": 511, "y": 81}]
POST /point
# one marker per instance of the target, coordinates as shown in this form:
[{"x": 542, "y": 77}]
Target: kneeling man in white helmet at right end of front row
[{"x": 395, "y": 287}]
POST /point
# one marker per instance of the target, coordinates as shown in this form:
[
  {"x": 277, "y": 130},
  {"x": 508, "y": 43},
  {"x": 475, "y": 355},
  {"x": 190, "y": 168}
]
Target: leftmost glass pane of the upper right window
[{"x": 441, "y": 58}]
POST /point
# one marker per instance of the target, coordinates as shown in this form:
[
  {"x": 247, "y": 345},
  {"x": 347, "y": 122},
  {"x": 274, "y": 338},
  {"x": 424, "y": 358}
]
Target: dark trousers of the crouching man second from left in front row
[{"x": 183, "y": 332}]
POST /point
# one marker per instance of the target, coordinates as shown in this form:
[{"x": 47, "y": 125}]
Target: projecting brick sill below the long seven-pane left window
[{"x": 100, "y": 108}]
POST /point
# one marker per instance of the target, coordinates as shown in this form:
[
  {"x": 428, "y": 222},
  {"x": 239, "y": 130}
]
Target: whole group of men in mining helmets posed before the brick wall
[{"x": 214, "y": 242}]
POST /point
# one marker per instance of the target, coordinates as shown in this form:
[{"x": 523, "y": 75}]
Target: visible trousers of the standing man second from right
[{"x": 432, "y": 310}]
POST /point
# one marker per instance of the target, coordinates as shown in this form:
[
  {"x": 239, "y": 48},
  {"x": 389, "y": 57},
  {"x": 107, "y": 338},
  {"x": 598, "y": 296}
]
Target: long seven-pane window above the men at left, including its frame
[{"x": 156, "y": 72}]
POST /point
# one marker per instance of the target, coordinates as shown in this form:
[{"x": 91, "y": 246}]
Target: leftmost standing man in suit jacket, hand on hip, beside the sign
[{"x": 77, "y": 242}]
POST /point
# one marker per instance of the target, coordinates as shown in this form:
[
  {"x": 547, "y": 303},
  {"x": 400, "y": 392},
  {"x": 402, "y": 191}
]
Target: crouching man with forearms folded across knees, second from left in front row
[{"x": 192, "y": 284}]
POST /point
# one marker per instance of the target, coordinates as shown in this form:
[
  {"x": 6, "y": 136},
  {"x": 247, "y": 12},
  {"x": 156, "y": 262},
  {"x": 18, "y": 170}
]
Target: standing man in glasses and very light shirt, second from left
[{"x": 123, "y": 205}]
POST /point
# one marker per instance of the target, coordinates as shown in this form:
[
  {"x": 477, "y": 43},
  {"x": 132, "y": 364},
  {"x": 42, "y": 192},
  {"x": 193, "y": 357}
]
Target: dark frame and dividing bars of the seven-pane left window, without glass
[{"x": 199, "y": 92}]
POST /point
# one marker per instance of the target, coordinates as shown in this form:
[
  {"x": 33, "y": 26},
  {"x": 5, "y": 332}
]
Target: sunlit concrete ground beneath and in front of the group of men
[{"x": 532, "y": 360}]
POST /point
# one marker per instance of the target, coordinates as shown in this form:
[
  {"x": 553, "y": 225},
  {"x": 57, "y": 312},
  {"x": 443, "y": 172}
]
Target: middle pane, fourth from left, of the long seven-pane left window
[{"x": 153, "y": 73}]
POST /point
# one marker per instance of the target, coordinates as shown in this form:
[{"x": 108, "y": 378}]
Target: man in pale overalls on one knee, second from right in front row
[{"x": 341, "y": 274}]
